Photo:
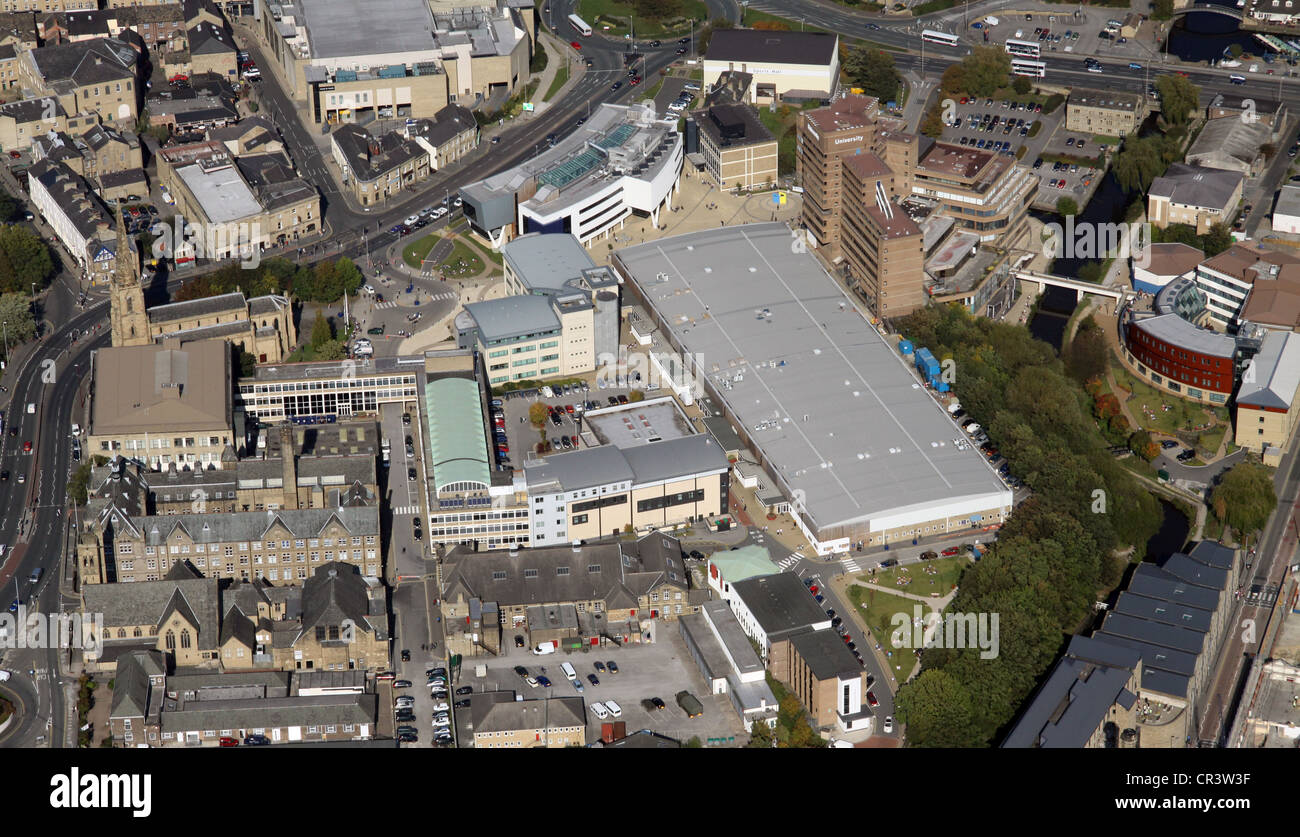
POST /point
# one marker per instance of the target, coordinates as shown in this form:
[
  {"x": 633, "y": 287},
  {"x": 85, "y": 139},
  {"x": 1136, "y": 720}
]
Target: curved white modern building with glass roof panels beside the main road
[{"x": 625, "y": 161}]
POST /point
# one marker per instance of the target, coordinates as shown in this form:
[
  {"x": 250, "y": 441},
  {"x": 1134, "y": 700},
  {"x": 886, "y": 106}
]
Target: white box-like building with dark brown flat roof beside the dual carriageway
[{"x": 785, "y": 64}]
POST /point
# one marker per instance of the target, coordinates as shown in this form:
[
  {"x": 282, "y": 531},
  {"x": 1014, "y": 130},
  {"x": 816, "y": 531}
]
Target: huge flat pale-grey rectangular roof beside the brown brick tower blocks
[{"x": 833, "y": 407}]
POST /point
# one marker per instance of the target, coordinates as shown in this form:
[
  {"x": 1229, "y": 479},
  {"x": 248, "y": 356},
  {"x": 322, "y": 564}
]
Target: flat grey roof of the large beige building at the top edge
[{"x": 345, "y": 28}]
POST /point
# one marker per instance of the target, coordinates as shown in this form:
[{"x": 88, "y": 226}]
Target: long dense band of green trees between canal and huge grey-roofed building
[{"x": 1056, "y": 552}]
